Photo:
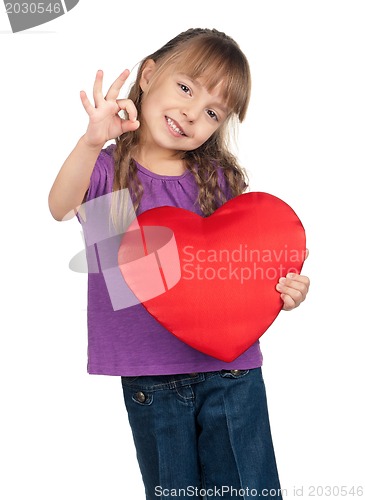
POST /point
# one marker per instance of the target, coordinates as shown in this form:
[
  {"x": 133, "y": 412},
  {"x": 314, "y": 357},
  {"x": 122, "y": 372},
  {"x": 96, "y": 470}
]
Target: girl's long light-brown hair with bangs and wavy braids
[{"x": 213, "y": 57}]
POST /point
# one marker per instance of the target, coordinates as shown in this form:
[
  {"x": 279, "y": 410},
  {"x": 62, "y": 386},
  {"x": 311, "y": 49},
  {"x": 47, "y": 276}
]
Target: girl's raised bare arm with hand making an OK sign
[{"x": 72, "y": 181}]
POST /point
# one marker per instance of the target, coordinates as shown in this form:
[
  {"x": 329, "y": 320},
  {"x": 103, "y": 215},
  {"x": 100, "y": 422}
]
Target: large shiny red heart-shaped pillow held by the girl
[{"x": 211, "y": 281}]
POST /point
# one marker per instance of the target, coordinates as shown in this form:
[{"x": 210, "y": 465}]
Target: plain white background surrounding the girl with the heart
[{"x": 64, "y": 433}]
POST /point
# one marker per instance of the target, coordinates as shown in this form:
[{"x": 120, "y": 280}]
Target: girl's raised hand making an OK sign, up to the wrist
[{"x": 104, "y": 120}]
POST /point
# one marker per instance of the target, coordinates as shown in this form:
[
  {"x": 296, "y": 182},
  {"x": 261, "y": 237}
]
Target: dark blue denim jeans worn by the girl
[{"x": 203, "y": 435}]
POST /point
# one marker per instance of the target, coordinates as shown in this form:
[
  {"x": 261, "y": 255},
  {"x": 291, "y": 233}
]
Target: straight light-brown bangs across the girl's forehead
[{"x": 214, "y": 62}]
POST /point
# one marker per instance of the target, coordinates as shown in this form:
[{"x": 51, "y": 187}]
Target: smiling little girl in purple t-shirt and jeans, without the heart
[{"x": 200, "y": 425}]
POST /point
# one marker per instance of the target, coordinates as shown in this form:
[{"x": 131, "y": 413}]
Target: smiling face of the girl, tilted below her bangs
[{"x": 179, "y": 114}]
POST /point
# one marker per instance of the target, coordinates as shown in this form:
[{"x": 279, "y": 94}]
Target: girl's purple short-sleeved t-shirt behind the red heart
[{"x": 128, "y": 341}]
